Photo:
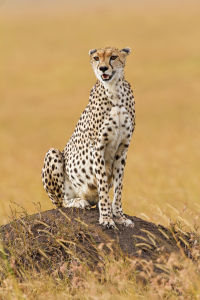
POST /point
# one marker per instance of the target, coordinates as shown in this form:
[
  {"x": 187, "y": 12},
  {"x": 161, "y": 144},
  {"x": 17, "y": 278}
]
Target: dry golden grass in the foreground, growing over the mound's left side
[{"x": 52, "y": 256}]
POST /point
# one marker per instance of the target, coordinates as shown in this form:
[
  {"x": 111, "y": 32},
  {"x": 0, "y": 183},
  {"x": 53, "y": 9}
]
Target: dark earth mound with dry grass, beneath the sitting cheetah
[{"x": 48, "y": 239}]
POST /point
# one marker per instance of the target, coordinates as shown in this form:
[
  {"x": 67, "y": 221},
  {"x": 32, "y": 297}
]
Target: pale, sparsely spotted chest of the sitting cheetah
[{"x": 118, "y": 126}]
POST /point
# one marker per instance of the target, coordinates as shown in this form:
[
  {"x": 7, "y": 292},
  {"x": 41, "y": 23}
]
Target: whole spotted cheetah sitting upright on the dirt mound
[{"x": 94, "y": 159}]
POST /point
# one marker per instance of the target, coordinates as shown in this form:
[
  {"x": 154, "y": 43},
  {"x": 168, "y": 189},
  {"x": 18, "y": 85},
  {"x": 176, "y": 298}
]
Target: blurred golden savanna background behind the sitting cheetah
[{"x": 45, "y": 84}]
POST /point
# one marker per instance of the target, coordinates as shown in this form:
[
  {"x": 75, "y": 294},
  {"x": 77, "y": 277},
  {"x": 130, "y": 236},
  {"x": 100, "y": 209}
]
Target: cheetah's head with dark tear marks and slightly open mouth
[{"x": 108, "y": 63}]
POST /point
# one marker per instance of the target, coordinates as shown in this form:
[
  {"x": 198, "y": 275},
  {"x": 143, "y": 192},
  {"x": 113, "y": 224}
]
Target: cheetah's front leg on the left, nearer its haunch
[{"x": 104, "y": 200}]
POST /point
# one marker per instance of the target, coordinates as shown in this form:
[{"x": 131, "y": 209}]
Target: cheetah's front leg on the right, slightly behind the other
[{"x": 118, "y": 174}]
